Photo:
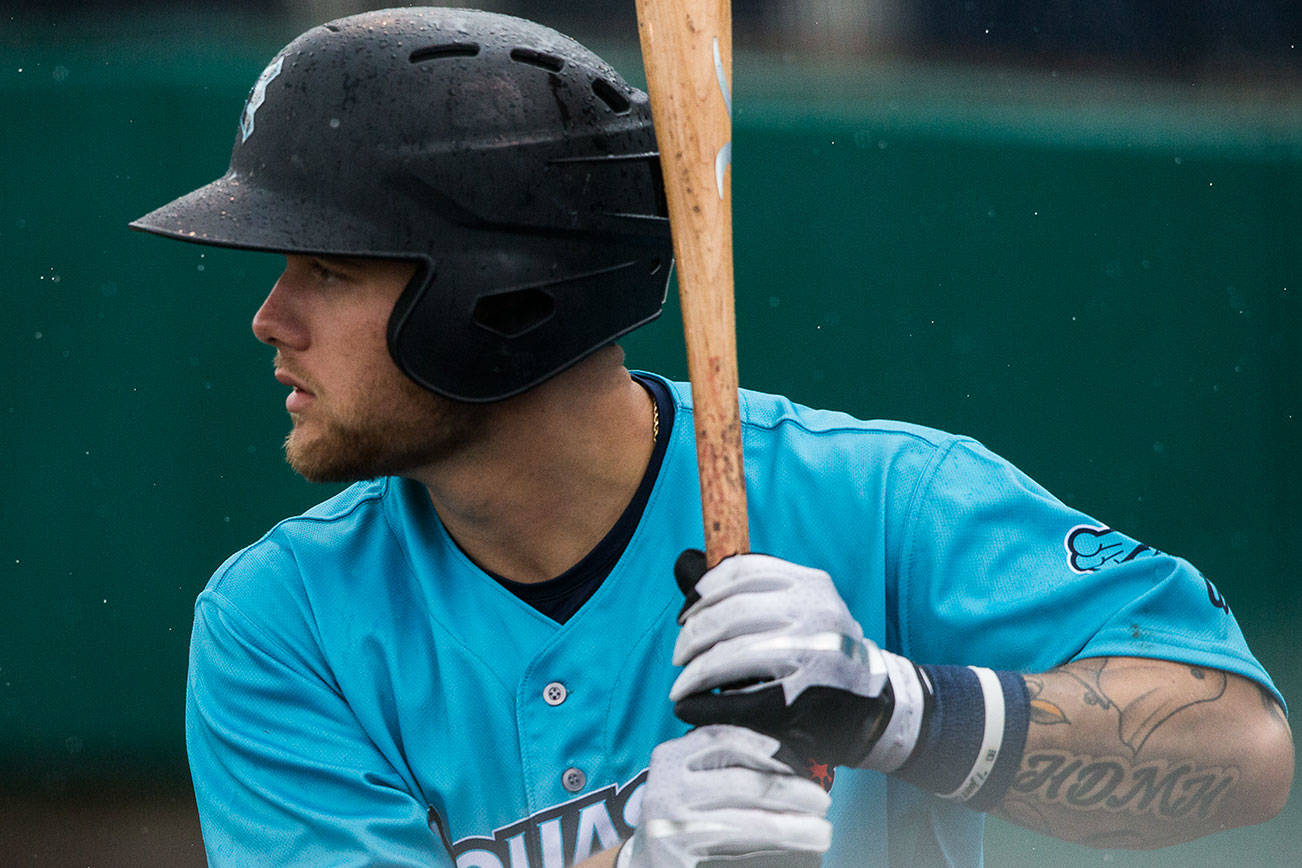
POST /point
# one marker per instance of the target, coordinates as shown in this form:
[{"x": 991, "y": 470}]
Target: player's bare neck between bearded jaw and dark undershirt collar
[{"x": 554, "y": 474}]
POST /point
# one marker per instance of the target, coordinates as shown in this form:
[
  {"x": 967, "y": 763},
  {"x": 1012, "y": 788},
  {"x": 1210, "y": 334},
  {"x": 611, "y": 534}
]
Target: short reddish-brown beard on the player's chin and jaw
[{"x": 402, "y": 429}]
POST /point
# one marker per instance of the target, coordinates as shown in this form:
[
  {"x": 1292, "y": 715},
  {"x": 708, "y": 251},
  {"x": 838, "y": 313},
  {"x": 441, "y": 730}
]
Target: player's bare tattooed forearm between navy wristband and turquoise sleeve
[{"x": 1136, "y": 753}]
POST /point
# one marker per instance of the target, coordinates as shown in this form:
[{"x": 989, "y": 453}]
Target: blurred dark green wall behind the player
[{"x": 1088, "y": 262}]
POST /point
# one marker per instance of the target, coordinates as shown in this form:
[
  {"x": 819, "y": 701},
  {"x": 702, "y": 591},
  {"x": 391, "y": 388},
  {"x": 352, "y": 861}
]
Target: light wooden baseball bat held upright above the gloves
[{"x": 687, "y": 49}]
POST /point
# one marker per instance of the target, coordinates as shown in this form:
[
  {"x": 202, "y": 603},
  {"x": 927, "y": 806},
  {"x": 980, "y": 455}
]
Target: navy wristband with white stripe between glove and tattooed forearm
[{"x": 973, "y": 735}]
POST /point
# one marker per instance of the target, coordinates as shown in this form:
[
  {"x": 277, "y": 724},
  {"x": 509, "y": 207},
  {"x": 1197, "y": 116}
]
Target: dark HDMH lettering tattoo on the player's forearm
[{"x": 1118, "y": 785}]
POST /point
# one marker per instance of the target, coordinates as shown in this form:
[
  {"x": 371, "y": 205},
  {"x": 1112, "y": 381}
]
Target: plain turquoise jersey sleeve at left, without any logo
[{"x": 283, "y": 772}]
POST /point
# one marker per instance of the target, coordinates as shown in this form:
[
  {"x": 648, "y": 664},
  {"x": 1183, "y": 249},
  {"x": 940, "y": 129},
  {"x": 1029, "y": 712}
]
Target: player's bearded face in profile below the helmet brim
[{"x": 356, "y": 416}]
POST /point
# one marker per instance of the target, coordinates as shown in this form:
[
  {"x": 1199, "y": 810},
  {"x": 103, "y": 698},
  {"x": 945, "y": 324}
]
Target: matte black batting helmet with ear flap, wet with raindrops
[{"x": 512, "y": 163}]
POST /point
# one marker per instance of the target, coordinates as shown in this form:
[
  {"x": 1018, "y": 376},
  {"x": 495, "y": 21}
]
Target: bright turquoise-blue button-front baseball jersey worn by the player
[{"x": 361, "y": 693}]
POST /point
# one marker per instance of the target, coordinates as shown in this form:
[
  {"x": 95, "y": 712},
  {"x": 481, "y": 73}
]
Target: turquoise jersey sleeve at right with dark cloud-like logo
[{"x": 997, "y": 572}]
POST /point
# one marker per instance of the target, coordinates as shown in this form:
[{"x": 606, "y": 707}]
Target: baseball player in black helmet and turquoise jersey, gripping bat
[{"x": 477, "y": 655}]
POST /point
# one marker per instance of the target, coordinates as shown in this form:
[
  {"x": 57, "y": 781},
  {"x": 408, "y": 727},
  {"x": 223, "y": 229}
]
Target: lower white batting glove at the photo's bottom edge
[{"x": 727, "y": 794}]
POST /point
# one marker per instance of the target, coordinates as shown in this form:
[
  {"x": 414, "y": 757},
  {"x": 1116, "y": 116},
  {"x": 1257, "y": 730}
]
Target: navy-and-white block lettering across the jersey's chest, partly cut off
[{"x": 563, "y": 835}]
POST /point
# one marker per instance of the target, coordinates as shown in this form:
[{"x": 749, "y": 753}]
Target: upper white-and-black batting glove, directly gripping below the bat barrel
[{"x": 771, "y": 646}]
